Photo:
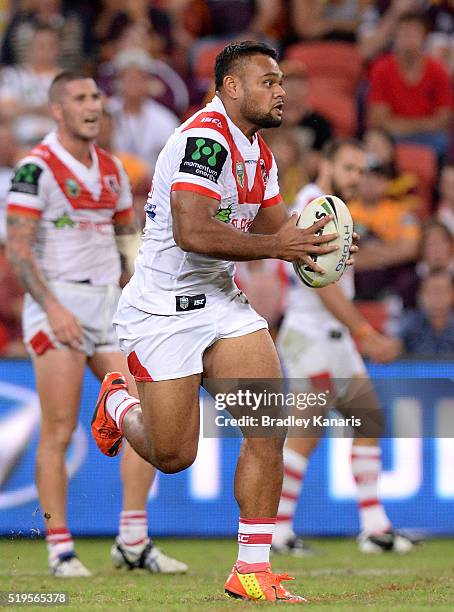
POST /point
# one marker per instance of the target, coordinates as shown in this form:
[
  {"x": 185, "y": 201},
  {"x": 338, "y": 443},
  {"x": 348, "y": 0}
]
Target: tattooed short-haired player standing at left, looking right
[{"x": 69, "y": 203}]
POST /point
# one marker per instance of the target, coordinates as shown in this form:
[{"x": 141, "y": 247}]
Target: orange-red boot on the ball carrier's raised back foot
[{"x": 104, "y": 429}]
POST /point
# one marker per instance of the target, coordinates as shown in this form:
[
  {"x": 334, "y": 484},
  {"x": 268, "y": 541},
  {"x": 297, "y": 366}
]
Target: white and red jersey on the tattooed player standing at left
[{"x": 76, "y": 207}]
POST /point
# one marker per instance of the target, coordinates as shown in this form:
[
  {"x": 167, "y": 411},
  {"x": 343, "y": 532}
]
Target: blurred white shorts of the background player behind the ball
[{"x": 331, "y": 354}]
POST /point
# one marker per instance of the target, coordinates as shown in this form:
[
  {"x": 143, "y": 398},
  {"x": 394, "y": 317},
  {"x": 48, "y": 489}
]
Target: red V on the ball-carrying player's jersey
[{"x": 256, "y": 195}]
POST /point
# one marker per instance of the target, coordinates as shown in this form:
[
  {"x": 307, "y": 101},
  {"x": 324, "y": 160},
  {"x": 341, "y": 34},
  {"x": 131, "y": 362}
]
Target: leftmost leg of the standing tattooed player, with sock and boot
[{"x": 59, "y": 376}]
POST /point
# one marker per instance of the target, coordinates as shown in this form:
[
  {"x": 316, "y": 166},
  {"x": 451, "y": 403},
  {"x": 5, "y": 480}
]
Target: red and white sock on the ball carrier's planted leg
[{"x": 254, "y": 541}]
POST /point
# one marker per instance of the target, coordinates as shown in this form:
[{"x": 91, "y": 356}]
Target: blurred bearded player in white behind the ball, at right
[{"x": 316, "y": 344}]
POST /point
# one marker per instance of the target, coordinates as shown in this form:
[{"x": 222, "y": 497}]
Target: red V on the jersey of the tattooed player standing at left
[{"x": 74, "y": 189}]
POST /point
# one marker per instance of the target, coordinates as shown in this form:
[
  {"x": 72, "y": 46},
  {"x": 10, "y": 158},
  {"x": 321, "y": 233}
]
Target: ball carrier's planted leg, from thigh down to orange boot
[{"x": 258, "y": 477}]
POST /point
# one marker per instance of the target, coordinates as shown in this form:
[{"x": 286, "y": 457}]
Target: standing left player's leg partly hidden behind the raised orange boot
[{"x": 133, "y": 547}]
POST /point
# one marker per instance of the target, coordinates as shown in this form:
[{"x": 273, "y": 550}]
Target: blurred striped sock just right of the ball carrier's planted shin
[{"x": 295, "y": 466}]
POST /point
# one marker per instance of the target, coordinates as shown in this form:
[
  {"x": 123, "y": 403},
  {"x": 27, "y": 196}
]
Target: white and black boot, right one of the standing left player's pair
[{"x": 150, "y": 558}]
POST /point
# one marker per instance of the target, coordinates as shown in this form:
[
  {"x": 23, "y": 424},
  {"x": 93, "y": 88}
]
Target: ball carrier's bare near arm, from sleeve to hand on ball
[{"x": 196, "y": 229}]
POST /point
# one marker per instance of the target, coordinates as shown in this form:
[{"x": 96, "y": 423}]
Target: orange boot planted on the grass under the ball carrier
[{"x": 260, "y": 586}]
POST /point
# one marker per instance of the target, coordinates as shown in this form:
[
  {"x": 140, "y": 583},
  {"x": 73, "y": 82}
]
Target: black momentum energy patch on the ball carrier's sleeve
[{"x": 203, "y": 157}]
